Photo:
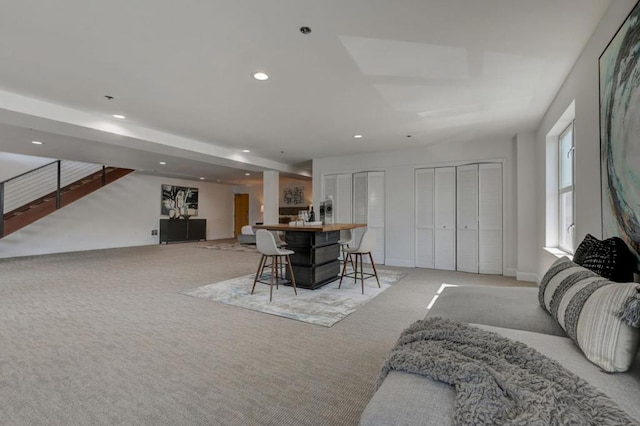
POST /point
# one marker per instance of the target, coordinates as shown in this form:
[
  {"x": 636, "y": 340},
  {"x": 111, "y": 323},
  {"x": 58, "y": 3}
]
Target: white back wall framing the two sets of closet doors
[{"x": 399, "y": 168}]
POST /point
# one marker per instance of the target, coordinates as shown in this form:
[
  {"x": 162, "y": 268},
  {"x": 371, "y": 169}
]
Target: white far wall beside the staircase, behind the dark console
[{"x": 118, "y": 215}]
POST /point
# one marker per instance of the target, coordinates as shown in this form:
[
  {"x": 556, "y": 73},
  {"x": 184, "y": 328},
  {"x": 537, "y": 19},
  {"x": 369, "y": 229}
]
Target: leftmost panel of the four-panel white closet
[{"x": 424, "y": 218}]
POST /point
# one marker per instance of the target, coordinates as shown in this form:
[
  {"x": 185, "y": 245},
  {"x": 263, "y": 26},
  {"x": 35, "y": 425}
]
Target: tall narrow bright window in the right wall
[{"x": 565, "y": 190}]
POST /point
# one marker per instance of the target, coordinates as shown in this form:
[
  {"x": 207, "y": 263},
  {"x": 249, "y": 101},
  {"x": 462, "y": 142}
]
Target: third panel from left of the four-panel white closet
[{"x": 467, "y": 218}]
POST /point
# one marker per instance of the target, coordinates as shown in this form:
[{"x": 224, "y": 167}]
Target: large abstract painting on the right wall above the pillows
[{"x": 619, "y": 68}]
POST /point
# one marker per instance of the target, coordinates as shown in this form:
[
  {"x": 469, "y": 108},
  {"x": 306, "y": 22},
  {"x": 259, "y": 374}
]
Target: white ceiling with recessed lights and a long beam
[{"x": 440, "y": 71}]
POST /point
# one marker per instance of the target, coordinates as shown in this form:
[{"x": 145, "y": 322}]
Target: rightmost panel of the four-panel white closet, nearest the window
[{"x": 490, "y": 219}]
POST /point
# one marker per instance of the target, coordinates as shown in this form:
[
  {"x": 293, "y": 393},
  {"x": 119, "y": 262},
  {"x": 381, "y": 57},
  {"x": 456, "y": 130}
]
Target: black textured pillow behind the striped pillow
[{"x": 610, "y": 259}]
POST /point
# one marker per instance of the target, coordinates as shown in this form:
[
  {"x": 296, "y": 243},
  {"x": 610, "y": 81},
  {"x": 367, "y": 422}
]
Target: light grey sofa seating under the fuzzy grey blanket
[{"x": 514, "y": 312}]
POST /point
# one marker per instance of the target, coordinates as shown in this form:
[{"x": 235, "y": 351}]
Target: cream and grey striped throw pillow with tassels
[{"x": 599, "y": 315}]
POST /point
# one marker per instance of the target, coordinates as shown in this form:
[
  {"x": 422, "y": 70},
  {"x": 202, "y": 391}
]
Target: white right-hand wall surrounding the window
[{"x": 581, "y": 85}]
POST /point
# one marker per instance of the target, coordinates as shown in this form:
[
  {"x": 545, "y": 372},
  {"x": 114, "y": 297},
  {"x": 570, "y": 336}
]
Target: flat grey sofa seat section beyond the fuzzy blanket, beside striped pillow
[{"x": 510, "y": 307}]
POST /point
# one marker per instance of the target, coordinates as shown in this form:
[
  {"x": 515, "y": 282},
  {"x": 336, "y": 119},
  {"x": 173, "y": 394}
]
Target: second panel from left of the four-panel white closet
[{"x": 445, "y": 218}]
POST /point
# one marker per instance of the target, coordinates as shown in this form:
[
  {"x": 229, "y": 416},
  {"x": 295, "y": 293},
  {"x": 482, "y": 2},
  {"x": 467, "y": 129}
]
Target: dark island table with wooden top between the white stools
[{"x": 316, "y": 260}]
